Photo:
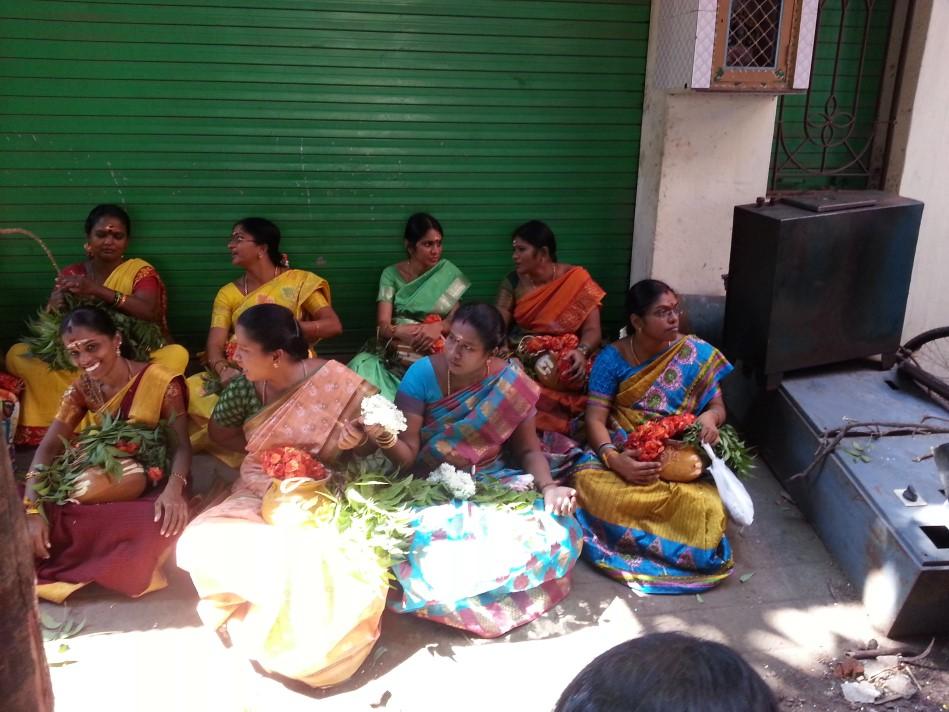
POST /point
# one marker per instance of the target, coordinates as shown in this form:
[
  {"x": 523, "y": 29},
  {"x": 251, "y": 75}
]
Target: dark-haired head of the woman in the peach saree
[{"x": 268, "y": 335}]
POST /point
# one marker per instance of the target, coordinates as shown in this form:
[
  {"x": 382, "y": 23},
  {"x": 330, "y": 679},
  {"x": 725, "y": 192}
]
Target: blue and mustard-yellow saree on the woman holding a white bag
[{"x": 667, "y": 537}]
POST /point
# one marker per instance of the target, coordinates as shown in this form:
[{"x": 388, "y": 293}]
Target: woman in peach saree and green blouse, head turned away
[{"x": 297, "y": 599}]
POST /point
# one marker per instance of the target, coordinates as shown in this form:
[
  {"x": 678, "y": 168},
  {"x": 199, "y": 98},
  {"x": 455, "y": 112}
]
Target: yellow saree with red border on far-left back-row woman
[{"x": 45, "y": 387}]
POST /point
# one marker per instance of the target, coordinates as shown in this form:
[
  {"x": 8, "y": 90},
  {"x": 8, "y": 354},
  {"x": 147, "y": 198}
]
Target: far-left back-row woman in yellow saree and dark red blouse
[{"x": 131, "y": 287}]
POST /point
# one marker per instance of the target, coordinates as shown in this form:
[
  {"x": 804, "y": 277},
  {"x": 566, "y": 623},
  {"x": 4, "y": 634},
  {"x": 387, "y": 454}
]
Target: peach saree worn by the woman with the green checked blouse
[{"x": 304, "y": 602}]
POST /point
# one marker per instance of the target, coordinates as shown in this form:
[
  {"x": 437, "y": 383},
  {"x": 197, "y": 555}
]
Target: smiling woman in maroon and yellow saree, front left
[{"x": 120, "y": 545}]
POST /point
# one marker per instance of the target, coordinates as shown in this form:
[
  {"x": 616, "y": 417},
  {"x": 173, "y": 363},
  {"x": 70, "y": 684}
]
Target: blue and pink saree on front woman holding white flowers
[{"x": 473, "y": 567}]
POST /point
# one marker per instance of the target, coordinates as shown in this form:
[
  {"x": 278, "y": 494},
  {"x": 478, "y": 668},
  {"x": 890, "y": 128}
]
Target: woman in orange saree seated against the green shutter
[{"x": 544, "y": 297}]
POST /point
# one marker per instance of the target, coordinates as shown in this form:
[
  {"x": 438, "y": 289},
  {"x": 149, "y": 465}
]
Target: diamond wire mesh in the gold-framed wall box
[{"x": 754, "y": 32}]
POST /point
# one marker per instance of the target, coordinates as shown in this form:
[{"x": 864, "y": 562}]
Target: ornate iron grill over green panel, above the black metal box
[{"x": 834, "y": 136}]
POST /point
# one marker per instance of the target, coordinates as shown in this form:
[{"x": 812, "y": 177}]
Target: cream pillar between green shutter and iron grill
[{"x": 701, "y": 153}]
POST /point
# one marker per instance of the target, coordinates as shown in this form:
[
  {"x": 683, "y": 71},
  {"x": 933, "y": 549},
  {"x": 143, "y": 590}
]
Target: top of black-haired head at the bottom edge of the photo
[{"x": 662, "y": 672}]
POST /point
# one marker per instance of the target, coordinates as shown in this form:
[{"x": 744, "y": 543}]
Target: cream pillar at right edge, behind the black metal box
[{"x": 919, "y": 161}]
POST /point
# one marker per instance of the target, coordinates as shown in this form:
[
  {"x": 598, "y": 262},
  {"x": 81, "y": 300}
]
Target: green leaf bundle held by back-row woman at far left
[{"x": 142, "y": 337}]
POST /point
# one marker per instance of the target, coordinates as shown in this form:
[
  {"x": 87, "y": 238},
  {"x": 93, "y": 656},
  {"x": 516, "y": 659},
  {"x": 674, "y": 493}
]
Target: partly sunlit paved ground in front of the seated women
[{"x": 789, "y": 620}]
